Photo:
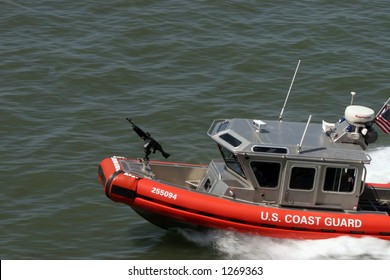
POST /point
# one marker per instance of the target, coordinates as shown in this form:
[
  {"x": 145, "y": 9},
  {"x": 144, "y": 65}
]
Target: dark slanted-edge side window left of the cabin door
[{"x": 267, "y": 173}]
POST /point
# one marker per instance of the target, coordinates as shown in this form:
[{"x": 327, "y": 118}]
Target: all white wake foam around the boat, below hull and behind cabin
[{"x": 232, "y": 245}]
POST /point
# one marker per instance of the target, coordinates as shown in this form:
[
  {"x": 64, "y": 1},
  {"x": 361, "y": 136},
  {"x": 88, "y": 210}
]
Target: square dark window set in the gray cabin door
[{"x": 302, "y": 178}]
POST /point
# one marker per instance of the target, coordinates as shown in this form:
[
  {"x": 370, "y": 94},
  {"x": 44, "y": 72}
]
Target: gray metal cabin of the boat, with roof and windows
[{"x": 288, "y": 163}]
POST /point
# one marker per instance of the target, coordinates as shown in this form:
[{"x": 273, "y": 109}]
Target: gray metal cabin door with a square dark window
[{"x": 299, "y": 188}]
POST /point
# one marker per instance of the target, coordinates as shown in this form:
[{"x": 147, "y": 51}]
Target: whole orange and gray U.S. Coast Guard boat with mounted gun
[{"x": 274, "y": 178}]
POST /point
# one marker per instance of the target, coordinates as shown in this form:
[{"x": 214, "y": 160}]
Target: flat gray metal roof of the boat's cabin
[{"x": 282, "y": 139}]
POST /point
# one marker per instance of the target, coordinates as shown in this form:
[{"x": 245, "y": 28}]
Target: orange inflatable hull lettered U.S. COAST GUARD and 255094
[{"x": 169, "y": 207}]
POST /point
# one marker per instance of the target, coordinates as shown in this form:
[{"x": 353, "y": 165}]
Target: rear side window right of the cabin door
[{"x": 339, "y": 179}]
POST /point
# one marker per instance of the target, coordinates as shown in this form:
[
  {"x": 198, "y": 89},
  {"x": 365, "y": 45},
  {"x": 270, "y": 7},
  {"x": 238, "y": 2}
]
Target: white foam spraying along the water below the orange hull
[{"x": 238, "y": 246}]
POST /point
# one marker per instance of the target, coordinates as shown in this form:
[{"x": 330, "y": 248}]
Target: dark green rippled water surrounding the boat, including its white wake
[{"x": 72, "y": 71}]
